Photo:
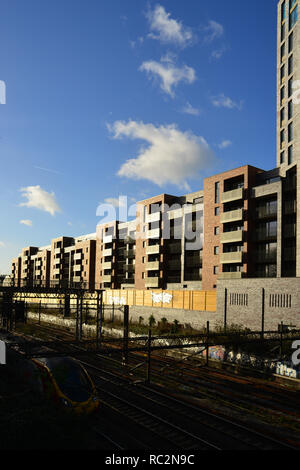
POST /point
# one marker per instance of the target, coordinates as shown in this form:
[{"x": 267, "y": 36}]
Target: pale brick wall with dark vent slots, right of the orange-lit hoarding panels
[{"x": 245, "y": 299}]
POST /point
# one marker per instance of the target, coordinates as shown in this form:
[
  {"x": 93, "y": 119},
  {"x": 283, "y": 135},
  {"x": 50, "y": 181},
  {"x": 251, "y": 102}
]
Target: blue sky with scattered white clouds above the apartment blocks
[{"x": 114, "y": 97}]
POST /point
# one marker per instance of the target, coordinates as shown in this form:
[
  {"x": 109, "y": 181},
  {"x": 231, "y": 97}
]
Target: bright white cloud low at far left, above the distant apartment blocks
[{"x": 40, "y": 199}]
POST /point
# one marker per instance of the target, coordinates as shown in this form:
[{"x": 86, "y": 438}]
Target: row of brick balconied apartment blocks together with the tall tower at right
[{"x": 245, "y": 223}]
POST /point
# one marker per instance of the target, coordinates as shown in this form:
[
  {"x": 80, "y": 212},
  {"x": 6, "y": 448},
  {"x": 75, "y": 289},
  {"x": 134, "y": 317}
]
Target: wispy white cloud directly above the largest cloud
[{"x": 168, "y": 73}]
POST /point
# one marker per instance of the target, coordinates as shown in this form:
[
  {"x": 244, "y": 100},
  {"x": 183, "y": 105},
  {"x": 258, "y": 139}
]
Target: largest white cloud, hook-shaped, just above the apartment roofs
[{"x": 172, "y": 156}]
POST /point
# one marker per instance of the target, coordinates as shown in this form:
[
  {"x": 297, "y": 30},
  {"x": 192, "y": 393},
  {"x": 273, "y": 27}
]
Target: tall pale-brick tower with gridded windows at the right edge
[{"x": 288, "y": 130}]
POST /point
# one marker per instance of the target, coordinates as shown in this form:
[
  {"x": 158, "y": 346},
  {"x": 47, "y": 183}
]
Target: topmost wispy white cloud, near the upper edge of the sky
[{"x": 167, "y": 30}]
